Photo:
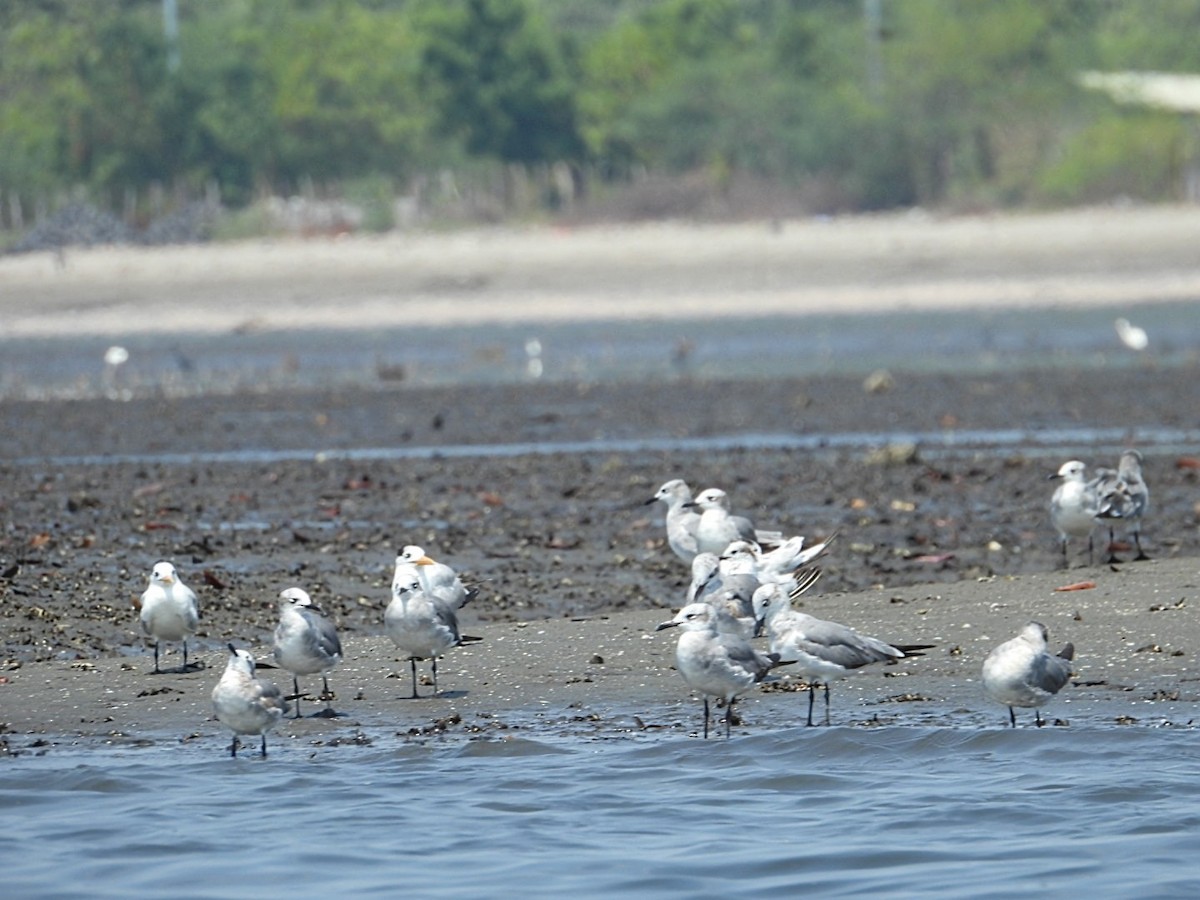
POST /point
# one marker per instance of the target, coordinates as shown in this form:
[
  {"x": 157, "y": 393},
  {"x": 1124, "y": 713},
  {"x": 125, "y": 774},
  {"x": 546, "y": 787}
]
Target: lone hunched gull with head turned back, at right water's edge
[{"x": 1022, "y": 674}]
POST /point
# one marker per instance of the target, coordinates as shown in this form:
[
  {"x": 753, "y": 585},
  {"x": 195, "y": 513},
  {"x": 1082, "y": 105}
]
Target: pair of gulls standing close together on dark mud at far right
[{"x": 1111, "y": 496}]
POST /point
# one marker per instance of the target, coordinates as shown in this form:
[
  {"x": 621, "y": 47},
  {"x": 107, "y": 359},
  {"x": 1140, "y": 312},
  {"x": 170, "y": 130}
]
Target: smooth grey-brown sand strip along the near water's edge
[{"x": 611, "y": 676}]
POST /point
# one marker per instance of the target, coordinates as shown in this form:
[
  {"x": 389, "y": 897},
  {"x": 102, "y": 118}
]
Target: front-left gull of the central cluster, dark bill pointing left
[{"x": 716, "y": 663}]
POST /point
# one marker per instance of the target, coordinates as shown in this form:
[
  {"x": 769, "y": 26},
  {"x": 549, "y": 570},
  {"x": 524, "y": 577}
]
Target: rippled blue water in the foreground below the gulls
[{"x": 837, "y": 812}]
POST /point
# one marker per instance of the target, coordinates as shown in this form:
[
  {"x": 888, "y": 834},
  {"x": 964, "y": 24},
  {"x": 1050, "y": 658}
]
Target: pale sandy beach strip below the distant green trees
[{"x": 658, "y": 272}]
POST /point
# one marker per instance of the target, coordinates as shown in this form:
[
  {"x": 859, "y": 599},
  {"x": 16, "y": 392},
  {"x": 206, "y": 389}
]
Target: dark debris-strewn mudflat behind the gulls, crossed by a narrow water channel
[{"x": 544, "y": 535}]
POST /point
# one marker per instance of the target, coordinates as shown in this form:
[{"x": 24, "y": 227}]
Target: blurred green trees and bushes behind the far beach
[{"x": 845, "y": 105}]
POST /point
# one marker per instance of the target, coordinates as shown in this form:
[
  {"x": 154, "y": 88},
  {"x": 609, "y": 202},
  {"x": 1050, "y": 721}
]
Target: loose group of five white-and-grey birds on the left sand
[{"x": 421, "y": 620}]
